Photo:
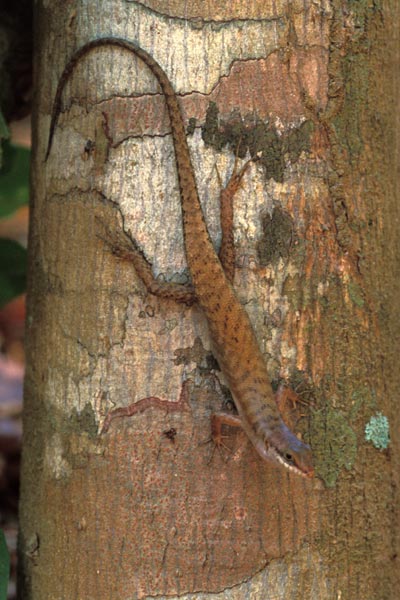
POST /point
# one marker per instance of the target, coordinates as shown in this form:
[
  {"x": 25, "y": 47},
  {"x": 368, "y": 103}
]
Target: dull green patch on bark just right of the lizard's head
[{"x": 334, "y": 443}]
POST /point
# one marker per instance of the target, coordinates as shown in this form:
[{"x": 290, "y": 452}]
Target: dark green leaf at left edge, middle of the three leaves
[{"x": 12, "y": 270}]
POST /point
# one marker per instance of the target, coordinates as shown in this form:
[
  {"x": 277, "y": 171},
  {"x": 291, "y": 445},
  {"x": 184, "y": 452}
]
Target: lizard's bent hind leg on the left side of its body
[{"x": 125, "y": 248}]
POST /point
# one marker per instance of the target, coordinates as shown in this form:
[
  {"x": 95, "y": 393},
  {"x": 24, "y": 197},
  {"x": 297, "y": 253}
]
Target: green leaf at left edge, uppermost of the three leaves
[{"x": 14, "y": 178}]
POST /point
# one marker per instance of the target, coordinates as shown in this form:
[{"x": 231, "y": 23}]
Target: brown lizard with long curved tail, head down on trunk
[{"x": 234, "y": 342}]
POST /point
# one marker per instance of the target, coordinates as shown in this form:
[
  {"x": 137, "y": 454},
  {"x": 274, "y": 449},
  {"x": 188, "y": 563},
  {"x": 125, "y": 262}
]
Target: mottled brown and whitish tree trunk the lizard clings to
[{"x": 132, "y": 513}]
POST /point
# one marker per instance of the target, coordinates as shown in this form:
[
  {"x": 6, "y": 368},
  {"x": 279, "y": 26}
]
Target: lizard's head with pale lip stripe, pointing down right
[{"x": 283, "y": 447}]
